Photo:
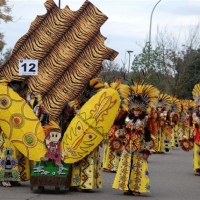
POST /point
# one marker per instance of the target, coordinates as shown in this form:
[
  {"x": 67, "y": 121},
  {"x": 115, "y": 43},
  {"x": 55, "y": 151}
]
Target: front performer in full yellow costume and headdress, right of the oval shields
[{"x": 132, "y": 175}]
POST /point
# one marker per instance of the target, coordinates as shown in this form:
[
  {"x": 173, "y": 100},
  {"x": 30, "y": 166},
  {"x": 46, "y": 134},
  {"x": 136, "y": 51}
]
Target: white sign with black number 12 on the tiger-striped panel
[{"x": 28, "y": 67}]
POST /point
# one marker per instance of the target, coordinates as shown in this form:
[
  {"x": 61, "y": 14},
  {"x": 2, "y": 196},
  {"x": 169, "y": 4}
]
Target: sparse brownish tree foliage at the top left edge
[{"x": 4, "y": 17}]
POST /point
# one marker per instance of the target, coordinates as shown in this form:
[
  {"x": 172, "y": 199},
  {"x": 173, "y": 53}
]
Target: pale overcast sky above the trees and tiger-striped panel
[{"x": 127, "y": 25}]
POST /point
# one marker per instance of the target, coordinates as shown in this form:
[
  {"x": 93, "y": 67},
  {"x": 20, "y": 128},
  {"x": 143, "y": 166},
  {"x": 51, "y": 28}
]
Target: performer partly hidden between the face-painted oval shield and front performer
[{"x": 113, "y": 143}]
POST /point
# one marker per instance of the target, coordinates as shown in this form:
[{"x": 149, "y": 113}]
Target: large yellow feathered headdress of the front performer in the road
[{"x": 142, "y": 96}]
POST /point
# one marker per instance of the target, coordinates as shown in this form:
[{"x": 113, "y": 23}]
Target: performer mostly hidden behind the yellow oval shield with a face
[{"x": 87, "y": 173}]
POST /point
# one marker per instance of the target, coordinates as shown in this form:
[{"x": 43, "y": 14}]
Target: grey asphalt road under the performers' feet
[{"x": 172, "y": 178}]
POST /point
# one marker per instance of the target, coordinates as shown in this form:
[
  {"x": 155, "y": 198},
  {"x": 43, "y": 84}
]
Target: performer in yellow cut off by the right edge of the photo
[{"x": 196, "y": 130}]
